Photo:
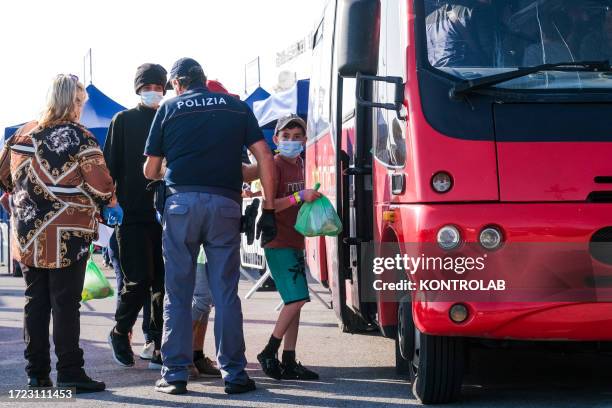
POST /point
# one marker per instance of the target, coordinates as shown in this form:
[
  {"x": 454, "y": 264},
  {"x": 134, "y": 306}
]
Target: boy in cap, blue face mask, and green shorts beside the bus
[{"x": 285, "y": 254}]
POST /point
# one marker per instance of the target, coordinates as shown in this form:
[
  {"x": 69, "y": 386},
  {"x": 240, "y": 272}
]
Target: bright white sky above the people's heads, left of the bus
[{"x": 39, "y": 39}]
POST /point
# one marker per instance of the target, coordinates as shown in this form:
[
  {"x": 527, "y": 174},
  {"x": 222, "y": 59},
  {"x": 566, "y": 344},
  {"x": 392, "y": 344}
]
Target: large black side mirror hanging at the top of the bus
[{"x": 358, "y": 37}]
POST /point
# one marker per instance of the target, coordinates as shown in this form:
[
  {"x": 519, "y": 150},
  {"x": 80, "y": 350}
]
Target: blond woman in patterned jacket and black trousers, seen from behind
[{"x": 58, "y": 182}]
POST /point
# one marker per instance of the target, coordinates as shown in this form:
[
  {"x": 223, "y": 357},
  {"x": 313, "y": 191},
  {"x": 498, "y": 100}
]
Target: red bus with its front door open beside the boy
[{"x": 465, "y": 126}]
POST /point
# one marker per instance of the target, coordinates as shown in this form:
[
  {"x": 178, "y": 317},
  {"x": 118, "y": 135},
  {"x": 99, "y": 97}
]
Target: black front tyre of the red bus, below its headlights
[{"x": 437, "y": 368}]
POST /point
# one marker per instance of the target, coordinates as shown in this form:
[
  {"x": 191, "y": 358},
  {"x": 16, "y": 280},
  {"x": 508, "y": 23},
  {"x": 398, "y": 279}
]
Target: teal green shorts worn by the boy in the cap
[{"x": 288, "y": 272}]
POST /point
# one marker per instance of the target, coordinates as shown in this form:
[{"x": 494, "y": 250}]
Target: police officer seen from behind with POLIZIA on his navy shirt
[{"x": 200, "y": 134}]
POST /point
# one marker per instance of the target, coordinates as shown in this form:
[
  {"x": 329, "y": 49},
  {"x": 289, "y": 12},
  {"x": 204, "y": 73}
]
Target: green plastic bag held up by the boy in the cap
[{"x": 318, "y": 218}]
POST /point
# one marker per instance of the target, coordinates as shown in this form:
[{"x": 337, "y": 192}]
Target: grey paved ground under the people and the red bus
[{"x": 356, "y": 371}]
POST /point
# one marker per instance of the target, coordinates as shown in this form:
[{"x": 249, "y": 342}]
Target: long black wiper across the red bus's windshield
[{"x": 463, "y": 88}]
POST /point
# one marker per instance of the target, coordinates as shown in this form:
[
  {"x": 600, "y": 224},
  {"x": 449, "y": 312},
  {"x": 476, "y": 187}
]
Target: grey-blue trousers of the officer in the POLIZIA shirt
[{"x": 192, "y": 219}]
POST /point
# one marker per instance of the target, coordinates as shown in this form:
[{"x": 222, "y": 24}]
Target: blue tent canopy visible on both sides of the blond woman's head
[{"x": 97, "y": 114}]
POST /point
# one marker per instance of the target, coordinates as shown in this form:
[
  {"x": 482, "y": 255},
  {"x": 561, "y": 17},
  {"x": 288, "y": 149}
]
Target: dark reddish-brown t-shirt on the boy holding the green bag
[{"x": 290, "y": 179}]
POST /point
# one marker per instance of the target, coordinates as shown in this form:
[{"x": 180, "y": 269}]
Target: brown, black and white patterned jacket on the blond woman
[{"x": 58, "y": 181}]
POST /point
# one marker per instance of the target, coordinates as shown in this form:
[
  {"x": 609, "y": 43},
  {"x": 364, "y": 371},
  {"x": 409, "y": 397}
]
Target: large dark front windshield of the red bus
[{"x": 476, "y": 38}]
